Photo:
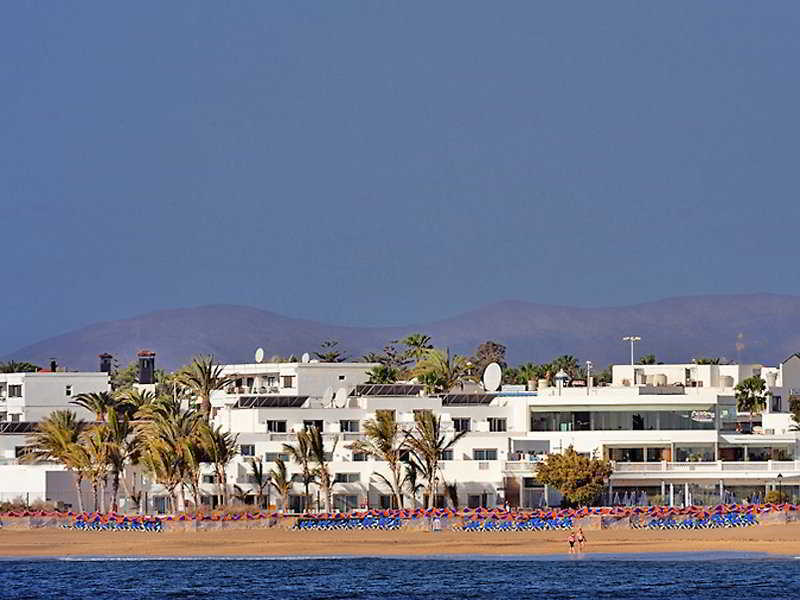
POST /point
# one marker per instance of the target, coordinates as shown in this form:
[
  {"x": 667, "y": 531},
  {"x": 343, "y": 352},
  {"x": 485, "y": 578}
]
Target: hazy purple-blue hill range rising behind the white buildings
[{"x": 758, "y": 328}]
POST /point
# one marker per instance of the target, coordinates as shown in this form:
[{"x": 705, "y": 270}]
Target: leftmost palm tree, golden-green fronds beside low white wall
[{"x": 55, "y": 439}]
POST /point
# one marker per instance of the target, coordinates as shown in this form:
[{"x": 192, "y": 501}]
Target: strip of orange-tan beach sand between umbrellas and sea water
[{"x": 776, "y": 539}]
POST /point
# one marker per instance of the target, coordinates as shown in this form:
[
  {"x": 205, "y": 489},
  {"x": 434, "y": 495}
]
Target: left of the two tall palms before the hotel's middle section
[{"x": 385, "y": 441}]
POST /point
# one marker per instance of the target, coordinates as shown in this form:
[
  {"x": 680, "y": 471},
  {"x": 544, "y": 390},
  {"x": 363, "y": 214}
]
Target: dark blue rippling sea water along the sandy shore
[{"x": 673, "y": 576}]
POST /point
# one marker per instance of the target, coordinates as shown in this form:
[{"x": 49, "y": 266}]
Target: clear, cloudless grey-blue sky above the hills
[{"x": 392, "y": 162}]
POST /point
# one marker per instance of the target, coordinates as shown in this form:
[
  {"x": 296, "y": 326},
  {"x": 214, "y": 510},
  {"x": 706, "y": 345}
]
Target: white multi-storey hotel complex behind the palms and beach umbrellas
[{"x": 671, "y": 431}]
